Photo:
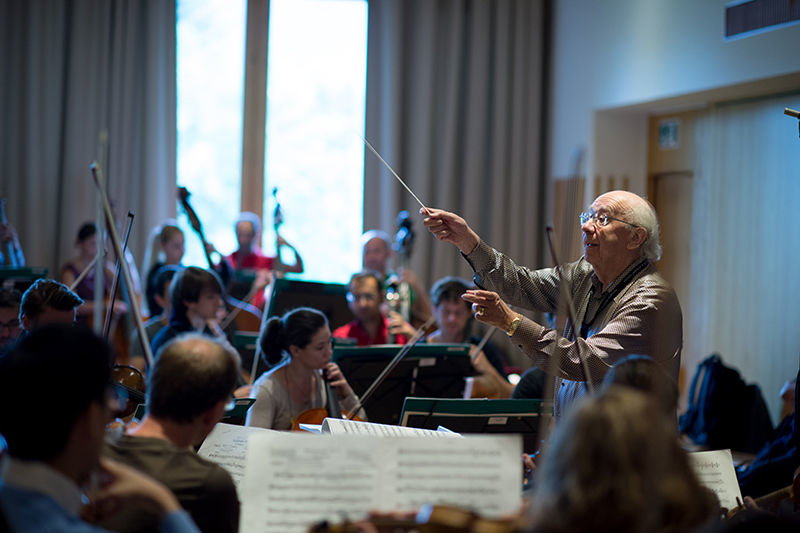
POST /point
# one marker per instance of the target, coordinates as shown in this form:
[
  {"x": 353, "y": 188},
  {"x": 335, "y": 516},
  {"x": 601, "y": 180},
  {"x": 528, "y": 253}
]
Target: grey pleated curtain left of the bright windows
[{"x": 70, "y": 71}]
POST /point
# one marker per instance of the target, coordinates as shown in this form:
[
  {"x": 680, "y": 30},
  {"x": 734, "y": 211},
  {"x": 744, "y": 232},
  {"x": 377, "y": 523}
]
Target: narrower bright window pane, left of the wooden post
[{"x": 210, "y": 57}]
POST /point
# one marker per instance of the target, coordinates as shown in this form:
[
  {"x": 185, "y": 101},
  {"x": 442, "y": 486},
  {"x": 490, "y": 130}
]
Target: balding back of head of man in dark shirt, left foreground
[{"x": 192, "y": 374}]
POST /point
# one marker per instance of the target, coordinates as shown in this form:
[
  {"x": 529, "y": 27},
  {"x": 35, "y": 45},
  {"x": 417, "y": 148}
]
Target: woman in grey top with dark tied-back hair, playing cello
[{"x": 297, "y": 346}]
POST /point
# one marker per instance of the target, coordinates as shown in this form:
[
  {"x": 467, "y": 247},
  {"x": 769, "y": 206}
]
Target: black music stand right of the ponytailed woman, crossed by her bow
[{"x": 432, "y": 370}]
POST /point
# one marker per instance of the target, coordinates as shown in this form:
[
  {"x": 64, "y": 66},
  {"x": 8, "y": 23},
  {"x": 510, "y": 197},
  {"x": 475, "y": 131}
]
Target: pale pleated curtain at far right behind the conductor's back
[{"x": 745, "y": 249}]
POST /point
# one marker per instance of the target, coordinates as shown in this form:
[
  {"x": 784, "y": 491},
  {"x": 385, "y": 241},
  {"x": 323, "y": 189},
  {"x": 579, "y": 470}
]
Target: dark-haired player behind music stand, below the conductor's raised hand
[{"x": 453, "y": 316}]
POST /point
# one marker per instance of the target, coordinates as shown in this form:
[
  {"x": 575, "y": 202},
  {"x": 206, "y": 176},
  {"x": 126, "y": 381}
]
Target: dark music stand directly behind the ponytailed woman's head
[{"x": 329, "y": 298}]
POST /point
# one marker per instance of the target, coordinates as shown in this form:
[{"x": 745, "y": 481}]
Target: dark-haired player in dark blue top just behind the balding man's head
[{"x": 196, "y": 296}]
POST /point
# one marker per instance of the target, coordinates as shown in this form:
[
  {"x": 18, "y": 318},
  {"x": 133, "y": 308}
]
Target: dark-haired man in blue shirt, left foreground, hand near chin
[{"x": 52, "y": 462}]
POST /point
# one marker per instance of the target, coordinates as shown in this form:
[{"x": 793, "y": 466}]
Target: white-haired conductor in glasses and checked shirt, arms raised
[{"x": 623, "y": 306}]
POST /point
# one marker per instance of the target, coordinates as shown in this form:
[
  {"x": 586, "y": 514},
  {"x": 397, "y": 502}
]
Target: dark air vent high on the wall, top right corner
[{"x": 756, "y": 16}]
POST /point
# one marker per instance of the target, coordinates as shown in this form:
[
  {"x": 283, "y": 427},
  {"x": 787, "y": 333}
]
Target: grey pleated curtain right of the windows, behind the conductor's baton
[{"x": 454, "y": 92}]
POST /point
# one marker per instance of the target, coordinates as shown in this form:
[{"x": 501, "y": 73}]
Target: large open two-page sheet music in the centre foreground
[{"x": 294, "y": 480}]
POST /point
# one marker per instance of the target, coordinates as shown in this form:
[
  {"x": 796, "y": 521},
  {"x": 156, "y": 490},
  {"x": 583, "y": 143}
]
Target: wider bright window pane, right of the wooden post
[{"x": 315, "y": 115}]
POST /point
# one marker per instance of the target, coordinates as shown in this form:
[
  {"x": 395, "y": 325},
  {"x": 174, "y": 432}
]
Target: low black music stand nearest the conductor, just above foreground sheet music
[{"x": 519, "y": 417}]
